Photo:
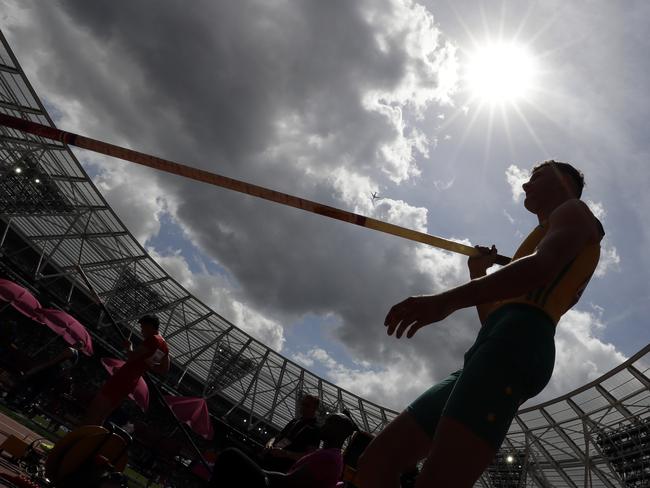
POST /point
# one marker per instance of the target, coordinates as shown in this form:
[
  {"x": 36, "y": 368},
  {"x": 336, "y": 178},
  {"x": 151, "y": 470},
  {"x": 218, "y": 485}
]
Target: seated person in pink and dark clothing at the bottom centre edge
[{"x": 319, "y": 469}]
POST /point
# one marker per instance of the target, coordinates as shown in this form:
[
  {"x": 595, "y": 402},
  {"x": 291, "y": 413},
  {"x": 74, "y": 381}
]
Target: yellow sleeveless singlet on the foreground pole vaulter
[{"x": 557, "y": 296}]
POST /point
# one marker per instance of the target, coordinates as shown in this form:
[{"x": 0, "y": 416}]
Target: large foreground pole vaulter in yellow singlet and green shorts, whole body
[{"x": 458, "y": 425}]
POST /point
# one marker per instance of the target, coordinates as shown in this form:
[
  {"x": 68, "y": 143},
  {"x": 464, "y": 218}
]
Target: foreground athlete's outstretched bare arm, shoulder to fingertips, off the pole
[{"x": 571, "y": 228}]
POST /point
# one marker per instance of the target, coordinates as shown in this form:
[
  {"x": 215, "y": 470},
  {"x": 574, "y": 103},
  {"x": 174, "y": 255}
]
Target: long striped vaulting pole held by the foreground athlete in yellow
[{"x": 236, "y": 185}]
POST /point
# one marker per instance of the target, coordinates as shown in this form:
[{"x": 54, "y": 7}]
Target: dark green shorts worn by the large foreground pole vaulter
[{"x": 511, "y": 361}]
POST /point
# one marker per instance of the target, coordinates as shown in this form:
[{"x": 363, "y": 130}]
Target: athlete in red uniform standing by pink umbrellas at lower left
[{"x": 151, "y": 355}]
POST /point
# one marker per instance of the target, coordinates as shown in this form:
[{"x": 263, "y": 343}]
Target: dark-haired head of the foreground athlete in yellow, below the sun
[{"x": 551, "y": 183}]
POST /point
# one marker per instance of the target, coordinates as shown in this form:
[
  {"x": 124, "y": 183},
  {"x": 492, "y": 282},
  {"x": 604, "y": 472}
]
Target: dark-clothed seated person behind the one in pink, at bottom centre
[{"x": 299, "y": 437}]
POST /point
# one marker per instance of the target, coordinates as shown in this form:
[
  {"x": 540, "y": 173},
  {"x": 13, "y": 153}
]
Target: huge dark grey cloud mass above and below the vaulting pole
[{"x": 273, "y": 92}]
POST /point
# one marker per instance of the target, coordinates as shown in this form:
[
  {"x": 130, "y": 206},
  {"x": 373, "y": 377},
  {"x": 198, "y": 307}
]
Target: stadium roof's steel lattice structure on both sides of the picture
[{"x": 596, "y": 436}]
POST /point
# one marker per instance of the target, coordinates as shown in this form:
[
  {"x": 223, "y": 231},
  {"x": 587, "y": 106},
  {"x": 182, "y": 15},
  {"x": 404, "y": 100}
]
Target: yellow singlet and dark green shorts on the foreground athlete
[{"x": 513, "y": 356}]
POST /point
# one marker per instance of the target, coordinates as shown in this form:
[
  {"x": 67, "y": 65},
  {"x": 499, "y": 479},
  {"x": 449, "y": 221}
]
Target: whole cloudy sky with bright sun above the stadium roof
[{"x": 334, "y": 101}]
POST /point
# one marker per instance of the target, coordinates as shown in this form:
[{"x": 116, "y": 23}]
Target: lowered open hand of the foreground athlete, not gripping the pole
[{"x": 416, "y": 312}]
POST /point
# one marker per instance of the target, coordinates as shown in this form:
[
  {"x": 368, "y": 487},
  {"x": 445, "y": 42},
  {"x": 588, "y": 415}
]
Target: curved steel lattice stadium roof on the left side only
[{"x": 49, "y": 200}]
